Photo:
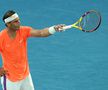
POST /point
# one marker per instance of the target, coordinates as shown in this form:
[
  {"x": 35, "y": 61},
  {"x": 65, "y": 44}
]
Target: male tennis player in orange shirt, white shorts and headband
[{"x": 13, "y": 49}]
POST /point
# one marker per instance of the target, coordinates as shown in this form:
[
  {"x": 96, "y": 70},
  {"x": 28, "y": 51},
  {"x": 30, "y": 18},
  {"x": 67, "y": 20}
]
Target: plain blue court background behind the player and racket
[{"x": 71, "y": 60}]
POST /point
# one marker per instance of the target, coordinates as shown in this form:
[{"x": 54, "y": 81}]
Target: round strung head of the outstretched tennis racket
[{"x": 91, "y": 21}]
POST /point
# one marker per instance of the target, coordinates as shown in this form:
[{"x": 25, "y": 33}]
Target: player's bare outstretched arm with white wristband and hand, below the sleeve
[{"x": 46, "y": 32}]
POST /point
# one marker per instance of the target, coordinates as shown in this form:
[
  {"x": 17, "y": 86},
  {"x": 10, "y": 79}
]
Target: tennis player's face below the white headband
[{"x": 15, "y": 24}]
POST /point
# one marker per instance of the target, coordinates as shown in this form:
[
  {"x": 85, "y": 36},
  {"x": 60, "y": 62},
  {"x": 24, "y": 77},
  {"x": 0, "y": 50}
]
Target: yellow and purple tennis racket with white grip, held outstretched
[{"x": 88, "y": 22}]
